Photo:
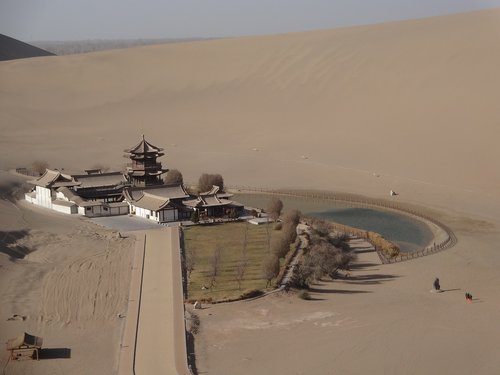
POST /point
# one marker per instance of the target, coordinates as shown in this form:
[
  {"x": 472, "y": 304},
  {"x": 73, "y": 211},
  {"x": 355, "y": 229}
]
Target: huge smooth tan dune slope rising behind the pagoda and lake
[{"x": 417, "y": 97}]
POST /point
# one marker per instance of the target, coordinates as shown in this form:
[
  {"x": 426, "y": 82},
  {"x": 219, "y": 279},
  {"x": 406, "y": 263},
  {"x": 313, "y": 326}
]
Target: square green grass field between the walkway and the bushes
[{"x": 203, "y": 240}]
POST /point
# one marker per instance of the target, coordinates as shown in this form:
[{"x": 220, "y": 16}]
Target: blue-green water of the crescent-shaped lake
[{"x": 408, "y": 233}]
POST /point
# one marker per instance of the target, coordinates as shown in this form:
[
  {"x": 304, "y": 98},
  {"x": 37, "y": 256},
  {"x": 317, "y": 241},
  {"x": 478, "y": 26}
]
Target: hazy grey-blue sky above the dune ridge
[{"x": 31, "y": 20}]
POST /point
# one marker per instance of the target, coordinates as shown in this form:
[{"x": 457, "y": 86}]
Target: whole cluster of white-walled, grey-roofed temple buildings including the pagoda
[{"x": 138, "y": 191}]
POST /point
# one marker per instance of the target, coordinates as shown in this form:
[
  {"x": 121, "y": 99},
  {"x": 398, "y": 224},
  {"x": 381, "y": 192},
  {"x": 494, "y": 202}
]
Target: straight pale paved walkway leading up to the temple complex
[{"x": 156, "y": 343}]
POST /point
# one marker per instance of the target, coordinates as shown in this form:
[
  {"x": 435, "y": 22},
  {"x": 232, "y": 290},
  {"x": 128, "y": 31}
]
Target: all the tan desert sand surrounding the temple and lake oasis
[{"x": 409, "y": 106}]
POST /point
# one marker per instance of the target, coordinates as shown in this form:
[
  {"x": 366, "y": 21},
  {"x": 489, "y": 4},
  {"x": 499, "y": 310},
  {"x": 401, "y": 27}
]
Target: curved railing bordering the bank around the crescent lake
[{"x": 361, "y": 201}]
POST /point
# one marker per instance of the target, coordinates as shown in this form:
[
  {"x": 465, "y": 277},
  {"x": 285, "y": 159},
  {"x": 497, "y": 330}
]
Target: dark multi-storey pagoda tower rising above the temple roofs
[{"x": 144, "y": 170}]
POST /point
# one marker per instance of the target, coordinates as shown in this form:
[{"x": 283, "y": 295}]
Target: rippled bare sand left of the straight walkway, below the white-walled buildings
[{"x": 70, "y": 289}]
